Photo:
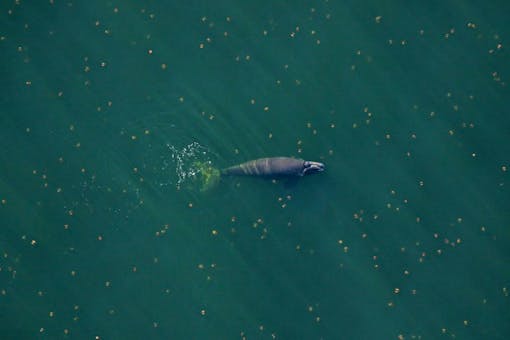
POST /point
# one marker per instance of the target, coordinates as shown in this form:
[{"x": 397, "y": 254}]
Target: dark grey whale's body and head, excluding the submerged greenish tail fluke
[{"x": 274, "y": 167}]
